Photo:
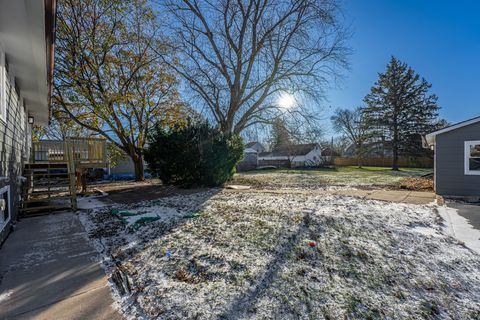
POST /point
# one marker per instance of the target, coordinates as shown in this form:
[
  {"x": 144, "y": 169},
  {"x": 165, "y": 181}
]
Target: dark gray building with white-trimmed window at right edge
[{"x": 457, "y": 158}]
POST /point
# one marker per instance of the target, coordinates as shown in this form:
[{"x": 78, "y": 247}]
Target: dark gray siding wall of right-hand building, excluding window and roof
[{"x": 450, "y": 178}]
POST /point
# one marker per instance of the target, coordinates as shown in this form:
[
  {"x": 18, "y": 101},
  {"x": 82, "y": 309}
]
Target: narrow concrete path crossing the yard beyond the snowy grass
[{"x": 401, "y": 196}]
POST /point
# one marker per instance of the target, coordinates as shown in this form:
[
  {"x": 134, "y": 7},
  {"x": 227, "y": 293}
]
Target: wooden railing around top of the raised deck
[{"x": 86, "y": 152}]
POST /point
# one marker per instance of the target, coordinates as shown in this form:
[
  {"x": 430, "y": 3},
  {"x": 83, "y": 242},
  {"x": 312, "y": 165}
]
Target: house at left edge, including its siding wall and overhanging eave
[{"x": 26, "y": 63}]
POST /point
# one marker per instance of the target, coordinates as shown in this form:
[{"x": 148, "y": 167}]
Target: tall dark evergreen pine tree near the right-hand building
[{"x": 400, "y": 108}]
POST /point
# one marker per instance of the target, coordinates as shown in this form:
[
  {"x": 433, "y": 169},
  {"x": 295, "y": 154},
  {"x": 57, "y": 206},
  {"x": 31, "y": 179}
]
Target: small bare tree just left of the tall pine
[{"x": 351, "y": 123}]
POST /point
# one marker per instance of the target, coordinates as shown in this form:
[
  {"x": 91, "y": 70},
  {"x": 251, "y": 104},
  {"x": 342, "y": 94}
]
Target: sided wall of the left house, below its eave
[{"x": 15, "y": 143}]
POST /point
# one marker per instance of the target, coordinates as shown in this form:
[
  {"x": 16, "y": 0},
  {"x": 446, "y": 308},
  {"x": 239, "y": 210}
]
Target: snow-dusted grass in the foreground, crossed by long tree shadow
[{"x": 242, "y": 255}]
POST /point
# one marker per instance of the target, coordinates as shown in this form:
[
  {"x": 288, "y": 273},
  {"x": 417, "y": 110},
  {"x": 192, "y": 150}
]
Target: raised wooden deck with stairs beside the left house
[{"x": 50, "y": 174}]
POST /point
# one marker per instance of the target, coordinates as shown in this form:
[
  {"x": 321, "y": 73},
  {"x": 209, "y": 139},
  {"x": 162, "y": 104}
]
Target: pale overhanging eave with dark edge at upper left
[{"x": 27, "y": 37}]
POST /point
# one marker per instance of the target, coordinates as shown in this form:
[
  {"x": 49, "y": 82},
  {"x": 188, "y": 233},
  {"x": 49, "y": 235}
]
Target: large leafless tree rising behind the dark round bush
[{"x": 239, "y": 57}]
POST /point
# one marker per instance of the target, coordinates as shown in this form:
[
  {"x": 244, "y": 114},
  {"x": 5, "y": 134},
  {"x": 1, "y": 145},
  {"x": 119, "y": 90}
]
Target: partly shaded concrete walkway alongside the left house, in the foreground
[{"x": 48, "y": 271}]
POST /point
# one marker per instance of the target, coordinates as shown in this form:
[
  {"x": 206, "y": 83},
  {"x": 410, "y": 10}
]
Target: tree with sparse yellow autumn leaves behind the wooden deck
[{"x": 110, "y": 77}]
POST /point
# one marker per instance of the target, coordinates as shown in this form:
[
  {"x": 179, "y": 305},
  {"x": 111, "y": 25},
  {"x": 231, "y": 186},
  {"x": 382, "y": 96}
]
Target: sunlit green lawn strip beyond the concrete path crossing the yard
[{"x": 328, "y": 177}]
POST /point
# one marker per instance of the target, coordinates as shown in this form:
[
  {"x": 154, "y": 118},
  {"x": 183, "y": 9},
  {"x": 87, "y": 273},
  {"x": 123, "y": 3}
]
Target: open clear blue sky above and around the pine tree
[{"x": 439, "y": 39}]
